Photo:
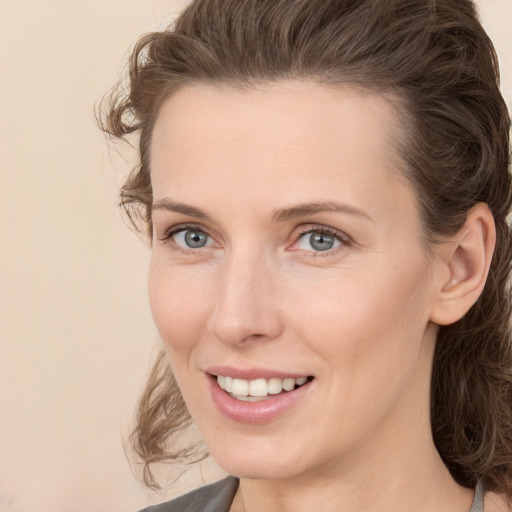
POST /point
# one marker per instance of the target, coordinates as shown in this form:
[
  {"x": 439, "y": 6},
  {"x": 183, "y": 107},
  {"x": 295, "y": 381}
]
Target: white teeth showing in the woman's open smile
[{"x": 259, "y": 389}]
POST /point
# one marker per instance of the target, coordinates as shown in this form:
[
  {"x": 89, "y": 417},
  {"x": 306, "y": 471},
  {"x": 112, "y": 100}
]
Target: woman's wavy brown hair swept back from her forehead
[{"x": 437, "y": 59}]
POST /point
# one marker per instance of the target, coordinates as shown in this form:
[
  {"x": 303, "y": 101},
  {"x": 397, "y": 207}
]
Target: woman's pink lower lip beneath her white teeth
[{"x": 255, "y": 413}]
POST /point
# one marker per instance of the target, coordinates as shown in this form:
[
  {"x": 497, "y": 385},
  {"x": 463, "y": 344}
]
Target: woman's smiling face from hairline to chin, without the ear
[{"x": 286, "y": 246}]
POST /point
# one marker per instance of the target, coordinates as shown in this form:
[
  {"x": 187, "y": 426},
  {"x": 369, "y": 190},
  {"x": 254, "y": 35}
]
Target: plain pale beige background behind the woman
[{"x": 76, "y": 332}]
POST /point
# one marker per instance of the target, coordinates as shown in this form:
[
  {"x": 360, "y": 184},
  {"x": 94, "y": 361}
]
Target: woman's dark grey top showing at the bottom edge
[{"x": 219, "y": 496}]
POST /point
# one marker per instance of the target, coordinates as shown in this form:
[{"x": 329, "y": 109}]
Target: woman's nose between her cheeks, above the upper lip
[{"x": 246, "y": 308}]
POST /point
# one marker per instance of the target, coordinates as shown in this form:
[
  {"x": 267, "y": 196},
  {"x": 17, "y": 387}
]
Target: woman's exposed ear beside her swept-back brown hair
[{"x": 463, "y": 266}]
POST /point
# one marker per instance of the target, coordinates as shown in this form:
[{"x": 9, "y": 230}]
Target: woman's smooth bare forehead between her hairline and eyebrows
[{"x": 299, "y": 136}]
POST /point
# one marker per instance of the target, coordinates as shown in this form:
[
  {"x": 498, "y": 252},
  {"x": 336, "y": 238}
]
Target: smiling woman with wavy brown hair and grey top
[{"x": 326, "y": 186}]
